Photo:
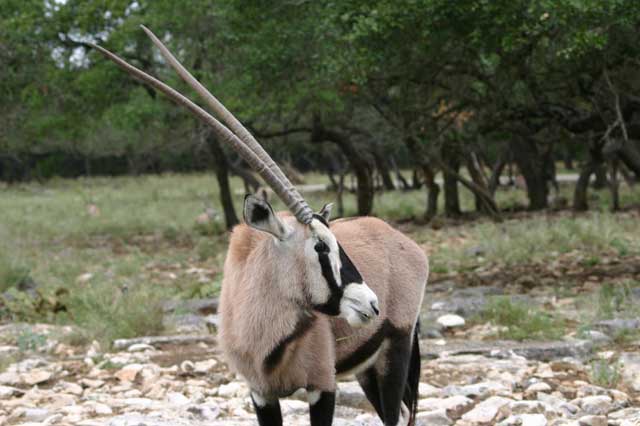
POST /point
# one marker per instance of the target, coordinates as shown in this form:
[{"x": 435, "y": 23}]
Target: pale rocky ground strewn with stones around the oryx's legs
[{"x": 467, "y": 379}]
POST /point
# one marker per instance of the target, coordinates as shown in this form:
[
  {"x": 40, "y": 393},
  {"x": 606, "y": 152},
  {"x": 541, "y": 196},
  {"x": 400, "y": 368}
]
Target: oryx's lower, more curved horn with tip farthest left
[{"x": 302, "y": 212}]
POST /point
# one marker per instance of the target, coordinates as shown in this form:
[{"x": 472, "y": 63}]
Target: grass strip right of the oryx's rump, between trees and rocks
[{"x": 537, "y": 239}]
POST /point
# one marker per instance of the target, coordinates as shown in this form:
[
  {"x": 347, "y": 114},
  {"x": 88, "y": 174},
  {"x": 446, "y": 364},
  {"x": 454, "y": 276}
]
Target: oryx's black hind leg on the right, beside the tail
[{"x": 393, "y": 369}]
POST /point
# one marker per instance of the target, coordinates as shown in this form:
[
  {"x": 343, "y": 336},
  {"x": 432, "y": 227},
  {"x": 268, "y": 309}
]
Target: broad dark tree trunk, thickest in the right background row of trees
[{"x": 529, "y": 161}]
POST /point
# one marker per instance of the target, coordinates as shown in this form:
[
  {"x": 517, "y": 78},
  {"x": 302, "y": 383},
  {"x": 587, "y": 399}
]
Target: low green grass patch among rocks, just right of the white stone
[{"x": 522, "y": 321}]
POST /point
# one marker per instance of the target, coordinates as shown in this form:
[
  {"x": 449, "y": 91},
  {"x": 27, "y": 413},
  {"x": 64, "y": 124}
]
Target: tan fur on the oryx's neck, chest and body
[{"x": 258, "y": 311}]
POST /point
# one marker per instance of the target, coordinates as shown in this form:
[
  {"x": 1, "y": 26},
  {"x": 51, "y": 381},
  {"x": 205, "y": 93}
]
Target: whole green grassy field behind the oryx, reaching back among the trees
[{"x": 105, "y": 253}]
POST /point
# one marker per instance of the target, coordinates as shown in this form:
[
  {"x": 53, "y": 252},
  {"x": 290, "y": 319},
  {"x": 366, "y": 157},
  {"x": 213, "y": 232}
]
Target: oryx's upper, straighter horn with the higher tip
[{"x": 234, "y": 124}]
